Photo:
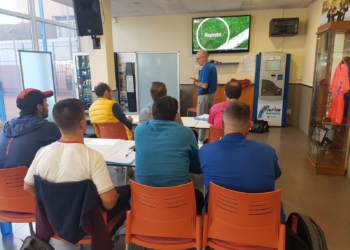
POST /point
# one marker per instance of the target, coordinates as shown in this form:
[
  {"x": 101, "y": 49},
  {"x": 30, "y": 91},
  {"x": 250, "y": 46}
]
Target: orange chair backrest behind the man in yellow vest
[{"x": 112, "y": 130}]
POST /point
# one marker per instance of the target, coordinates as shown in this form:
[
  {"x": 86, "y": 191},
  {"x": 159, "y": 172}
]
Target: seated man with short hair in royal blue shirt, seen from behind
[{"x": 237, "y": 163}]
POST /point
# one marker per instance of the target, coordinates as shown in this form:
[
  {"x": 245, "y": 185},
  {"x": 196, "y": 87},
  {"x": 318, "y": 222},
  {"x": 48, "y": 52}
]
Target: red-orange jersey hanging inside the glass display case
[{"x": 339, "y": 86}]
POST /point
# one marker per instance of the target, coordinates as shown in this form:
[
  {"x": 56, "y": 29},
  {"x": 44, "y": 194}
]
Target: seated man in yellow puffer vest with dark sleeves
[{"x": 107, "y": 110}]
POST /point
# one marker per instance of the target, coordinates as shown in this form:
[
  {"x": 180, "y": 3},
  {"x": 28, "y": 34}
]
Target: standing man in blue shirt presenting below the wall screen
[{"x": 206, "y": 83}]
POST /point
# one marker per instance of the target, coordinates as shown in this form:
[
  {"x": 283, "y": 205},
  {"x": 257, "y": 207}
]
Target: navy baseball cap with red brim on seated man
[{"x": 31, "y": 97}]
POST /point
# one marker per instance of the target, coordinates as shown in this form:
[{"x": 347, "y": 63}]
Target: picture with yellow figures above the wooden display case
[{"x": 335, "y": 11}]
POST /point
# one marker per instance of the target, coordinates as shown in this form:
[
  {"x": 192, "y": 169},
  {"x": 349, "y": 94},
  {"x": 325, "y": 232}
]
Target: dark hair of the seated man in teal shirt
[{"x": 165, "y": 108}]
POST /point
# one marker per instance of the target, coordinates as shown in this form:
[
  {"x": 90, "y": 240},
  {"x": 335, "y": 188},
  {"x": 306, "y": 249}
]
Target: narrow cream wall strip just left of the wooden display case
[{"x": 313, "y": 12}]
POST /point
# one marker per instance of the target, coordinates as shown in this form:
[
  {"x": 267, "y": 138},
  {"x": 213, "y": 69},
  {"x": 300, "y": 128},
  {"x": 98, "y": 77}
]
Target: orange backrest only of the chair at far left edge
[{"x": 12, "y": 196}]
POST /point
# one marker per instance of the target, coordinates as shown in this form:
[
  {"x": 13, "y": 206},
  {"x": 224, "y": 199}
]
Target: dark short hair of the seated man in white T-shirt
[{"x": 68, "y": 113}]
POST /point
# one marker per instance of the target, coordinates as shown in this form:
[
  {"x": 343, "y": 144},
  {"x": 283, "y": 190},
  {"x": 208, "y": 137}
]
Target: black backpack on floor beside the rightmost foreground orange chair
[{"x": 308, "y": 231}]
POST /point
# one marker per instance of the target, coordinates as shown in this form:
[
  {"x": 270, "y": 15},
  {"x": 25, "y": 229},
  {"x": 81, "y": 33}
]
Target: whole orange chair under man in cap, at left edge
[{"x": 16, "y": 205}]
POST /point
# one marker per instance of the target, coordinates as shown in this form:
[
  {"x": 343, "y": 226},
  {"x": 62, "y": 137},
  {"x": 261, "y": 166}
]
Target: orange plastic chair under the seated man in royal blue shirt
[{"x": 238, "y": 220}]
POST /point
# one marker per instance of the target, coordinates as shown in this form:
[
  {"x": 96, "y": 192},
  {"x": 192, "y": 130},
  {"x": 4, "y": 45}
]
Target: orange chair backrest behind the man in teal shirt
[{"x": 163, "y": 211}]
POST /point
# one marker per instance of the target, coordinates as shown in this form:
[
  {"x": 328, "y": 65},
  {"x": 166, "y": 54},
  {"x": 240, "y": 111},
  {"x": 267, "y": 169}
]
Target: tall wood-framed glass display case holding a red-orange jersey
[{"x": 328, "y": 147}]
